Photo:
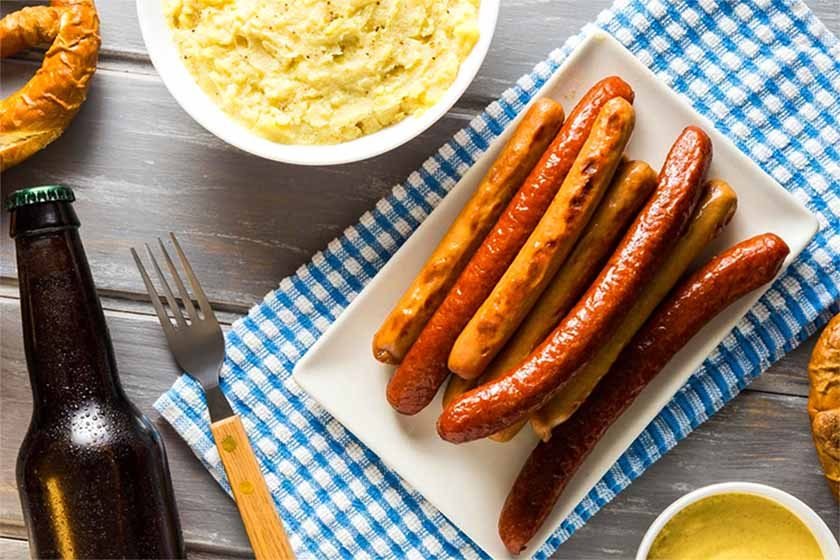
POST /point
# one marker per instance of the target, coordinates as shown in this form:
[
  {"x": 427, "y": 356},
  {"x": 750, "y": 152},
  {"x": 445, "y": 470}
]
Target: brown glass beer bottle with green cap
[{"x": 92, "y": 471}]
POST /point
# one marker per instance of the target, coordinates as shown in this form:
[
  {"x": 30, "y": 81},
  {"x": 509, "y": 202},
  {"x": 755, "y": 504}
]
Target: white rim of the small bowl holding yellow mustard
[{"x": 826, "y": 540}]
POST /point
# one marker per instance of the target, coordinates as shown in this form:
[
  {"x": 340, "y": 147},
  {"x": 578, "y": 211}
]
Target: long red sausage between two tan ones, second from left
[{"x": 424, "y": 367}]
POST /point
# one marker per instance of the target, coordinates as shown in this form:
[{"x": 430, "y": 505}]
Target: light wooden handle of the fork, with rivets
[{"x": 265, "y": 531}]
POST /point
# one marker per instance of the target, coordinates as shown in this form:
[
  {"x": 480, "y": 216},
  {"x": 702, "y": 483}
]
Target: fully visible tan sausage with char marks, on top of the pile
[{"x": 549, "y": 244}]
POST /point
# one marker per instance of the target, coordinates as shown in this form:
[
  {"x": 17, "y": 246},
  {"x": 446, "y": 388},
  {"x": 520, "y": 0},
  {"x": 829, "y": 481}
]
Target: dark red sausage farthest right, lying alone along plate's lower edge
[{"x": 698, "y": 299}]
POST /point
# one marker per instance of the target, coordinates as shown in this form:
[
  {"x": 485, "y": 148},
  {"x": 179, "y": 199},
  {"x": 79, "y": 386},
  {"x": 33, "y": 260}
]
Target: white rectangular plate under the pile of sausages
[{"x": 468, "y": 483}]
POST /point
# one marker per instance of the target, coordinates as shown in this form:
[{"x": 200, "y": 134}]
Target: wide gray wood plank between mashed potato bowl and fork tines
[{"x": 244, "y": 221}]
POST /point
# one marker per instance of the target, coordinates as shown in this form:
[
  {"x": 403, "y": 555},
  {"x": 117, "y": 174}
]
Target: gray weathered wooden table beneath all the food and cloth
[{"x": 142, "y": 167}]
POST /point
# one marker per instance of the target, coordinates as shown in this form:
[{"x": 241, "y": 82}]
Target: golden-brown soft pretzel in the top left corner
[{"x": 38, "y": 113}]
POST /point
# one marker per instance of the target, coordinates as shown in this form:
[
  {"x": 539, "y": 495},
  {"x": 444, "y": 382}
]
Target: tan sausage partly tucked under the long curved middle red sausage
[{"x": 631, "y": 188}]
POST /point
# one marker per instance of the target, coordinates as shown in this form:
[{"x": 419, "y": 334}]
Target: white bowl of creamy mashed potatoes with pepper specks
[{"x": 317, "y": 82}]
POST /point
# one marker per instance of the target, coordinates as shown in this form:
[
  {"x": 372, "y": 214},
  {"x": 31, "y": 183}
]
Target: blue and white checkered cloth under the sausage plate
[{"x": 765, "y": 72}]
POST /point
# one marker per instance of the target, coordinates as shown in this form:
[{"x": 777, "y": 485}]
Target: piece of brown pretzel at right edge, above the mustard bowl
[{"x": 824, "y": 402}]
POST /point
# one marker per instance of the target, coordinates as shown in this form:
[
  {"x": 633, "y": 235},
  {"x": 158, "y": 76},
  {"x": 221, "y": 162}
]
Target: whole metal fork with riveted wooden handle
[{"x": 199, "y": 349}]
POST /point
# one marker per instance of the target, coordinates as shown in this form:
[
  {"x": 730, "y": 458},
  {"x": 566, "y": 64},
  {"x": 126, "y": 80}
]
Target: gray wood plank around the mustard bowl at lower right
[{"x": 757, "y": 437}]
